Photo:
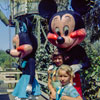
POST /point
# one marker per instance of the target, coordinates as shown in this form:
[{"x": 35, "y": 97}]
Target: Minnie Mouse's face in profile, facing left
[{"x": 22, "y": 46}]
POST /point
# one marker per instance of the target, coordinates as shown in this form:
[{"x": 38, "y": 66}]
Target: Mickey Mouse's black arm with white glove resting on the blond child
[{"x": 79, "y": 59}]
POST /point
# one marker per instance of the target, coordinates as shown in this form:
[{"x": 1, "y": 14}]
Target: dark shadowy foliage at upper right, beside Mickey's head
[{"x": 92, "y": 22}]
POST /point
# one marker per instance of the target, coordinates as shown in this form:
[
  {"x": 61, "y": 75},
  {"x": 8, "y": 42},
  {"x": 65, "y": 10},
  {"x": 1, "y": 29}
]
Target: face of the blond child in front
[{"x": 64, "y": 77}]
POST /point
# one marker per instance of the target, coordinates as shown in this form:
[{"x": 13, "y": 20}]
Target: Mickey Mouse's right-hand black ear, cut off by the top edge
[{"x": 81, "y": 6}]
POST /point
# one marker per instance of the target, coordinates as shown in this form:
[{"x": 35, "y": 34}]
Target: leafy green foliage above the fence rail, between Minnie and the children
[{"x": 43, "y": 58}]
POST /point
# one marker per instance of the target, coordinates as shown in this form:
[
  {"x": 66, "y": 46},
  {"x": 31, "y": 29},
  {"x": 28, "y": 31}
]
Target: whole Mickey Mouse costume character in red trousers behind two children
[{"x": 66, "y": 31}]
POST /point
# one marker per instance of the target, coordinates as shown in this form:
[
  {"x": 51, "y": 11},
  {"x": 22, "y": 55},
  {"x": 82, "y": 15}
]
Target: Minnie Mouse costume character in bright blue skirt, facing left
[{"x": 25, "y": 44}]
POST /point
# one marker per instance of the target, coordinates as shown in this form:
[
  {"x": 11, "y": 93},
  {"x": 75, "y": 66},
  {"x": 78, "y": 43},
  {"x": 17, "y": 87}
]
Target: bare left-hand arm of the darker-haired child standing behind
[{"x": 51, "y": 89}]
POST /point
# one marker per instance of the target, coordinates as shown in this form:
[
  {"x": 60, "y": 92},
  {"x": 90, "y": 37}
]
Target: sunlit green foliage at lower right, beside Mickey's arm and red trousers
[{"x": 89, "y": 84}]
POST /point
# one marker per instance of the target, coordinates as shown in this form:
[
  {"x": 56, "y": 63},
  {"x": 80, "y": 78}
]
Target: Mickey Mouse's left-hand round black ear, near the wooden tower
[{"x": 47, "y": 8}]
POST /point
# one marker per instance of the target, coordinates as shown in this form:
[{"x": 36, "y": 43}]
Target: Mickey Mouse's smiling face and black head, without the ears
[{"x": 67, "y": 29}]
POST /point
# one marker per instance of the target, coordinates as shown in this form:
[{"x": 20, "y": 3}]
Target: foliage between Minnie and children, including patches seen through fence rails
[{"x": 43, "y": 60}]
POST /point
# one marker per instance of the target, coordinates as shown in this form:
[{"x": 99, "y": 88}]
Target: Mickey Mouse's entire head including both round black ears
[{"x": 66, "y": 28}]
